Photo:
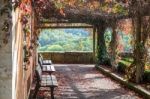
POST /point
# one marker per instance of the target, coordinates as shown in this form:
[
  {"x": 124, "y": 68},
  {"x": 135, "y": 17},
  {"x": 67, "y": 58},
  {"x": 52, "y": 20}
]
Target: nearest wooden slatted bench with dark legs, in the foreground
[{"x": 49, "y": 81}]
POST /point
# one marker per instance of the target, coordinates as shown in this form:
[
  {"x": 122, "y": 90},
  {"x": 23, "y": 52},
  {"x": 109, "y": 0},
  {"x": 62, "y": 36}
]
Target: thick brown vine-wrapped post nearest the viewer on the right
[{"x": 141, "y": 29}]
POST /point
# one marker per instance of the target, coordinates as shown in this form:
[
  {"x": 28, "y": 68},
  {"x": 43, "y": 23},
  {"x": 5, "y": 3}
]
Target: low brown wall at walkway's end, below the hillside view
[{"x": 69, "y": 57}]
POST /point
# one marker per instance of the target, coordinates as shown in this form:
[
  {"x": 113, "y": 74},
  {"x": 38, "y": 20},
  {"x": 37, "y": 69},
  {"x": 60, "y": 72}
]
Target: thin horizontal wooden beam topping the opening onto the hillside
[{"x": 56, "y": 27}]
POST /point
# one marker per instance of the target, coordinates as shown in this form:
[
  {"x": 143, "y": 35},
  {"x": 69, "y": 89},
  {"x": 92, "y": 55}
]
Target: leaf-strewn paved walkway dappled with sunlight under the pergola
[{"x": 85, "y": 82}]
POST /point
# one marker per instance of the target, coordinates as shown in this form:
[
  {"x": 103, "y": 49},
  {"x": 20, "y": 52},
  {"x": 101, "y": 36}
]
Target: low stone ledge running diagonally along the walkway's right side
[{"x": 141, "y": 91}]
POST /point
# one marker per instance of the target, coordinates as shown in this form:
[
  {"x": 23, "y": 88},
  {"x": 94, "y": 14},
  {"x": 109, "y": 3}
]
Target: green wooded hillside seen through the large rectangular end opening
[{"x": 65, "y": 40}]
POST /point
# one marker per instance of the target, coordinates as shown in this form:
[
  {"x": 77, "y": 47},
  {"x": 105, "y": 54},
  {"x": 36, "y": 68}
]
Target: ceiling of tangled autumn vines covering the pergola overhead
[{"x": 86, "y": 11}]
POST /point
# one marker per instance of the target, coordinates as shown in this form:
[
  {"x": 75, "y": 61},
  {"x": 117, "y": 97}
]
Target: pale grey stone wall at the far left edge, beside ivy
[{"x": 5, "y": 61}]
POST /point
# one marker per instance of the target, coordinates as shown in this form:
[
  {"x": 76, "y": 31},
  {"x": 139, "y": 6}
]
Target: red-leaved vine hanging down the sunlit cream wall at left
[{"x": 25, "y": 7}]
